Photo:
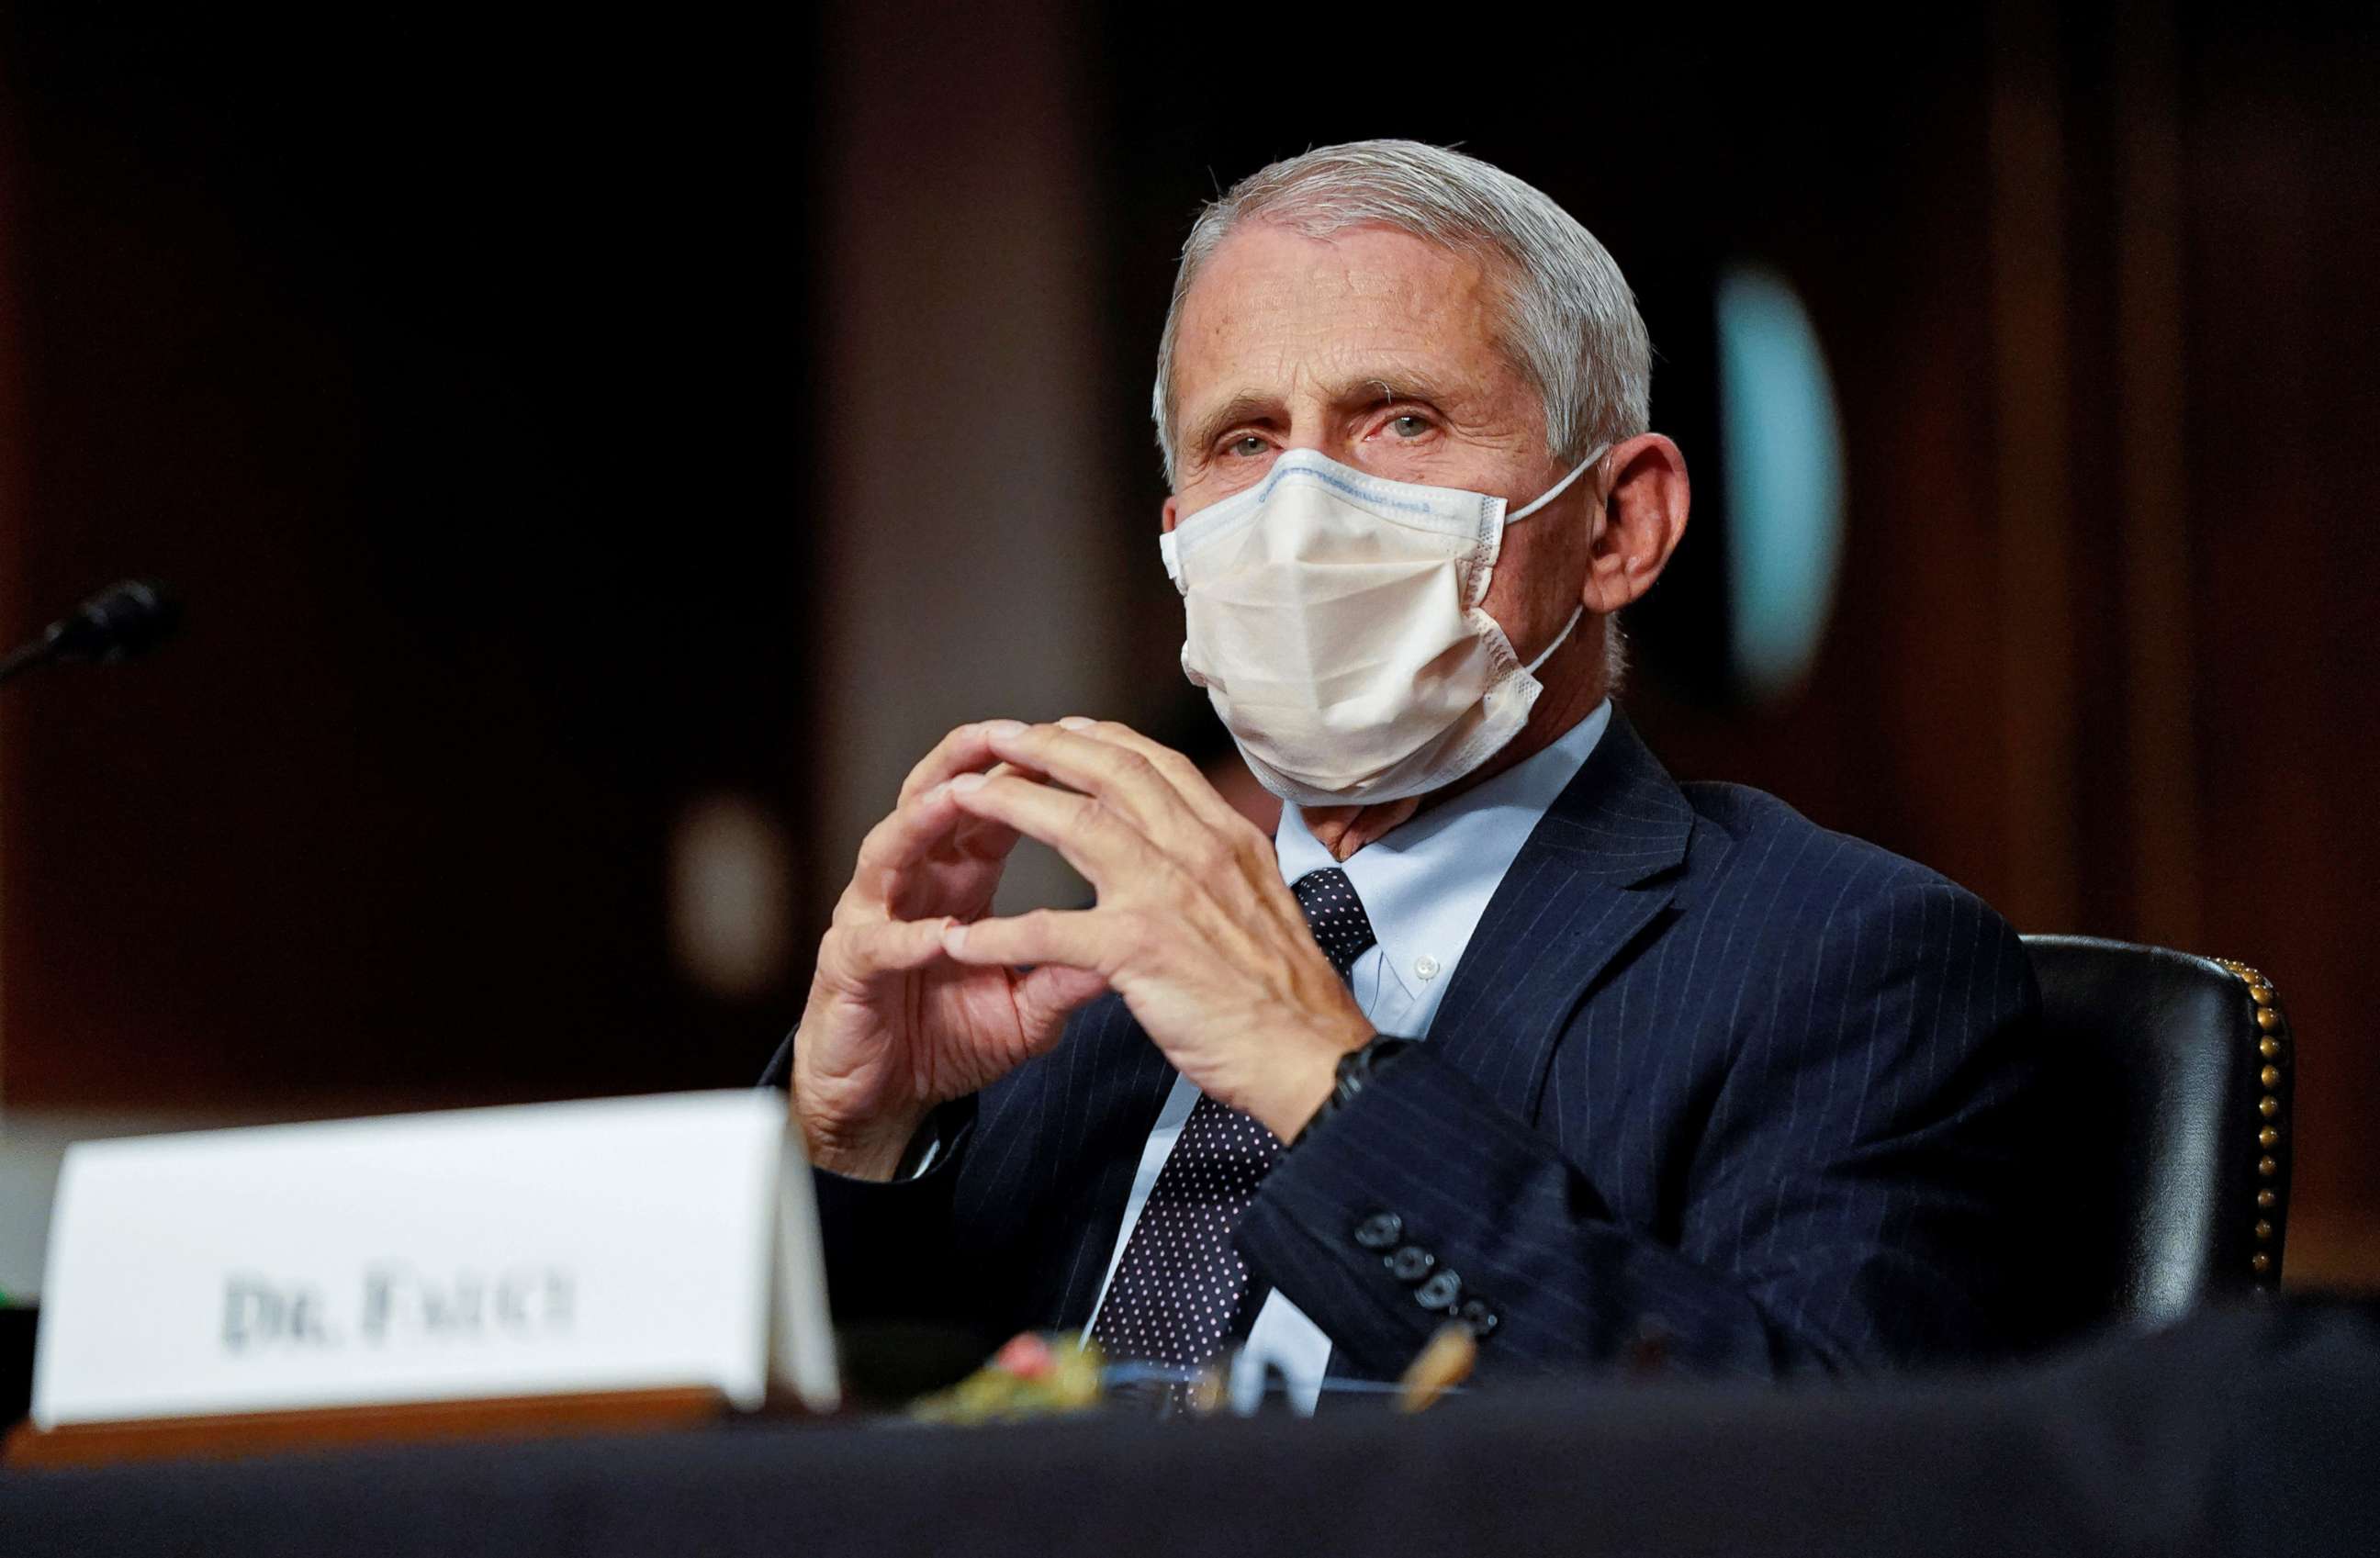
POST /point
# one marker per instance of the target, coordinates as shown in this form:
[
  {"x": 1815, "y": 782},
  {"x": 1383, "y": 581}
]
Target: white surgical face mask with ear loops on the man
[{"x": 1336, "y": 622}]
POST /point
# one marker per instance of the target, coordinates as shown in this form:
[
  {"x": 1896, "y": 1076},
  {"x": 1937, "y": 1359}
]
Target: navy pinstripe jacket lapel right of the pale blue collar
[{"x": 1589, "y": 881}]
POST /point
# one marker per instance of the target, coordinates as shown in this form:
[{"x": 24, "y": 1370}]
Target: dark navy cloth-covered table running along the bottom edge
[{"x": 2241, "y": 1433}]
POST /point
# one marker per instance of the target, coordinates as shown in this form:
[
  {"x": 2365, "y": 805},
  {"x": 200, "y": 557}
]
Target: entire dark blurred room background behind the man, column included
[{"x": 558, "y": 425}]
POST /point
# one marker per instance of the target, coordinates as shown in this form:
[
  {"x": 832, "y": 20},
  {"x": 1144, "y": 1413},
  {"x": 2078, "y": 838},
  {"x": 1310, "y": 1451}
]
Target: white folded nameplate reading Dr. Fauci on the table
[{"x": 487, "y": 1252}]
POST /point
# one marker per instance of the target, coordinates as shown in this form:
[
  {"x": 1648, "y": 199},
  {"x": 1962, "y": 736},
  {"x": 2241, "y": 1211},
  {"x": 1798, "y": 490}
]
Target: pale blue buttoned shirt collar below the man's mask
[{"x": 1427, "y": 884}]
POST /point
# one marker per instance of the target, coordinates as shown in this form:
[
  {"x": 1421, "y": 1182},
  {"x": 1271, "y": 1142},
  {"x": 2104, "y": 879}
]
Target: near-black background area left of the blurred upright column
[{"x": 456, "y": 372}]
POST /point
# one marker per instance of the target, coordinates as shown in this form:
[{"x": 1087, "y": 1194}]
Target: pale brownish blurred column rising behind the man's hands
[{"x": 970, "y": 534}]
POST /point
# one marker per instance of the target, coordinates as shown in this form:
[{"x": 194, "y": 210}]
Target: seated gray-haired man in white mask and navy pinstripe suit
[{"x": 1505, "y": 1026}]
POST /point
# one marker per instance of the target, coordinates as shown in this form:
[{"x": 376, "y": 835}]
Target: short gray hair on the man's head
[{"x": 1572, "y": 325}]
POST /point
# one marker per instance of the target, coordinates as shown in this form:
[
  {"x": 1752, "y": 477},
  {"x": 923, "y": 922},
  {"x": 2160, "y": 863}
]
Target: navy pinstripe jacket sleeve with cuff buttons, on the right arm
[{"x": 1853, "y": 1202}]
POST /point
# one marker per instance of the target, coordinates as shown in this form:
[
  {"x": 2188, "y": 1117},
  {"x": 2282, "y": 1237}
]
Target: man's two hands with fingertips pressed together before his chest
[{"x": 917, "y": 998}]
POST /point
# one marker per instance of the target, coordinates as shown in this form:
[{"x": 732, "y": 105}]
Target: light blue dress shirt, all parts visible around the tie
[{"x": 1424, "y": 888}]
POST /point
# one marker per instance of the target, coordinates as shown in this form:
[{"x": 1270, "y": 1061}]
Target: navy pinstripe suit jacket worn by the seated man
[{"x": 1710, "y": 1086}]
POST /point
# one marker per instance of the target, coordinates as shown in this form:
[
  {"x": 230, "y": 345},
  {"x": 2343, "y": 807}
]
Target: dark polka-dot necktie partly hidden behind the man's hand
[{"x": 1182, "y": 1288}]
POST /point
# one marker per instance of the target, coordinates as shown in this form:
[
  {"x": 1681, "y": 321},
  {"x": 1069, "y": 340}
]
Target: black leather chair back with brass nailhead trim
[{"x": 2179, "y": 1072}]
